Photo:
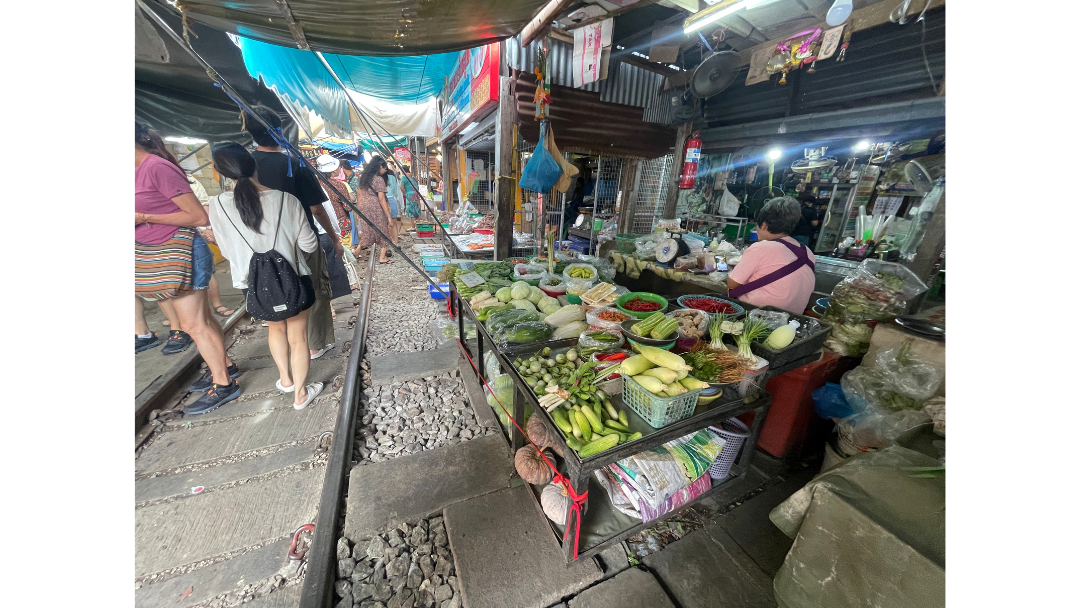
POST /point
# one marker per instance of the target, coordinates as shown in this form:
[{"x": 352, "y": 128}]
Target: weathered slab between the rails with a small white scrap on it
[{"x": 185, "y": 532}]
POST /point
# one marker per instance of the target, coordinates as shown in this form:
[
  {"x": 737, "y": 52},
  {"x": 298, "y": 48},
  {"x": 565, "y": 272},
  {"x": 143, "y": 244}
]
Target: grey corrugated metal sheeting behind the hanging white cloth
[{"x": 626, "y": 85}]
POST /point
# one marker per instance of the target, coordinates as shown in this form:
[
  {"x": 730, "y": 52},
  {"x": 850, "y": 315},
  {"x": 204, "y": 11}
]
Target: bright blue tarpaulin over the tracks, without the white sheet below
[{"x": 301, "y": 76}]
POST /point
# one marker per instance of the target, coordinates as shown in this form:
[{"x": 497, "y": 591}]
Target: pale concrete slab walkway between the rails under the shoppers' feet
[{"x": 219, "y": 496}]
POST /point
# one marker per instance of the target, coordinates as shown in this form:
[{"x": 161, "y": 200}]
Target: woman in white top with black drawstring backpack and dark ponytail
[{"x": 262, "y": 233}]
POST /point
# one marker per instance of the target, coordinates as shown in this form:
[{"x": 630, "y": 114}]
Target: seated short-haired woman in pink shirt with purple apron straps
[{"x": 778, "y": 271}]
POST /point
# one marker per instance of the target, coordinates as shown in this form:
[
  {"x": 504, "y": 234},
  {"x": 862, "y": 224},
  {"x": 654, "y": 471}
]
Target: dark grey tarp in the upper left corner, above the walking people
[{"x": 173, "y": 93}]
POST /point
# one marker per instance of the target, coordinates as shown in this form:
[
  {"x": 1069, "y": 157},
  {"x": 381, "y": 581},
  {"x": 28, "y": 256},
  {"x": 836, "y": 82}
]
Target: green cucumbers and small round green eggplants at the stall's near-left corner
[{"x": 568, "y": 388}]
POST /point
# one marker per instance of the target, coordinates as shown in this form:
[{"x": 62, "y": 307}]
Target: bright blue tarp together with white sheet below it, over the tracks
[{"x": 397, "y": 92}]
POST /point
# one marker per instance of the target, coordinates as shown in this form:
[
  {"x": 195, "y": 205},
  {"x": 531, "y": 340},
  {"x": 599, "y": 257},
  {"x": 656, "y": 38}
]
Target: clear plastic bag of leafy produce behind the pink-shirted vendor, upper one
[{"x": 875, "y": 291}]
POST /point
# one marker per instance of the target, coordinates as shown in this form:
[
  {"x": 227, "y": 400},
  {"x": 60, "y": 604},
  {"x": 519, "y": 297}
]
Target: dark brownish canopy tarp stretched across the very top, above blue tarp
[{"x": 372, "y": 28}]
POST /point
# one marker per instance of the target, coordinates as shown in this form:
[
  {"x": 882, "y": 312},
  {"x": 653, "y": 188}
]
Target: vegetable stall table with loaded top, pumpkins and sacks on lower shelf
[{"x": 637, "y": 415}]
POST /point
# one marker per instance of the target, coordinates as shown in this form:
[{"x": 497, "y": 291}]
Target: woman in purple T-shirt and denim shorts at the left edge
[{"x": 165, "y": 208}]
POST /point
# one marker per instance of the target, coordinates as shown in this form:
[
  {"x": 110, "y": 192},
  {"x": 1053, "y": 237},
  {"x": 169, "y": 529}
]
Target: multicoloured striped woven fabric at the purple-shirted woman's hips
[{"x": 165, "y": 271}]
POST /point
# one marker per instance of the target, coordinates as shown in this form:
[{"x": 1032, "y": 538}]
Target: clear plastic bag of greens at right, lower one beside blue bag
[{"x": 896, "y": 382}]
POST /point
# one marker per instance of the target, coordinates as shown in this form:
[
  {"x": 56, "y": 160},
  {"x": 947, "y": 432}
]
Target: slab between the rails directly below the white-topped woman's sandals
[{"x": 229, "y": 438}]
